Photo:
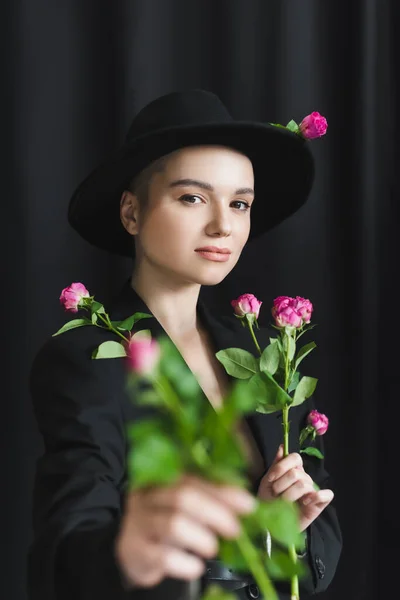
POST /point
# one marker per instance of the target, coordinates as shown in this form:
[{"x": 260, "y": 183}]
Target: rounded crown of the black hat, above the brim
[{"x": 179, "y": 109}]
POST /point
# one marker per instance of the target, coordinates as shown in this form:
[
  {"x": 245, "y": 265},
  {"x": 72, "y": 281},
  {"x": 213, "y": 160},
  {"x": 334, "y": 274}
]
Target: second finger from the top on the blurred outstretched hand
[{"x": 181, "y": 532}]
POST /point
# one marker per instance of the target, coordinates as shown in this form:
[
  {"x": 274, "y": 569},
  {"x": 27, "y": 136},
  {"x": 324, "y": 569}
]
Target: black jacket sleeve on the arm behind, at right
[{"x": 324, "y": 537}]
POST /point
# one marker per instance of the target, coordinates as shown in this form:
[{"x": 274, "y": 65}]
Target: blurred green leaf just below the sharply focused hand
[{"x": 281, "y": 518}]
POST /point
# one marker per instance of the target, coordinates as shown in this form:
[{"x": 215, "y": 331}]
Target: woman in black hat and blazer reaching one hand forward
[{"x": 180, "y": 197}]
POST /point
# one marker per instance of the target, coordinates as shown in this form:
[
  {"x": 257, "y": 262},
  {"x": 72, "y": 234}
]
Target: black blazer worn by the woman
[{"x": 81, "y": 408}]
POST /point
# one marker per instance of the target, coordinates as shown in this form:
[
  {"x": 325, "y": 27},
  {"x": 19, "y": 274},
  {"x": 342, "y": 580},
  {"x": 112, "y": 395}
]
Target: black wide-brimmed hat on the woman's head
[{"x": 282, "y": 162}]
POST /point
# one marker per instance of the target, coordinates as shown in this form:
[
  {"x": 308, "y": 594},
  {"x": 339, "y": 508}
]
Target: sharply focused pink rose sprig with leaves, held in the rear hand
[{"x": 273, "y": 377}]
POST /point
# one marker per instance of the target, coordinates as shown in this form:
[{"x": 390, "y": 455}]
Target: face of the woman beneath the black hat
[{"x": 200, "y": 199}]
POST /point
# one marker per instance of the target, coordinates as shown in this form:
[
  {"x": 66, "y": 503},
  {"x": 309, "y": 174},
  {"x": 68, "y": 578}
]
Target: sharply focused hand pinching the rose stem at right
[{"x": 287, "y": 479}]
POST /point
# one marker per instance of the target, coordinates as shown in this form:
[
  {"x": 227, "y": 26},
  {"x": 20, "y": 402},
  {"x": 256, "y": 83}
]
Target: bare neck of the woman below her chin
[{"x": 172, "y": 303}]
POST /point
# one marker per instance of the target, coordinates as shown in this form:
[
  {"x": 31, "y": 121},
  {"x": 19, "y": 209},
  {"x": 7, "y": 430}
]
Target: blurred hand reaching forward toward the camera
[{"x": 167, "y": 531}]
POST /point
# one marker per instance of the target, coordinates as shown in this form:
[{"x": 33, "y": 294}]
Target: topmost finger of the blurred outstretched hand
[{"x": 199, "y": 506}]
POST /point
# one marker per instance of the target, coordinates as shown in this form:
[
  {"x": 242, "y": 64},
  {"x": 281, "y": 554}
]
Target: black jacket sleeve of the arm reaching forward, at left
[{"x": 80, "y": 478}]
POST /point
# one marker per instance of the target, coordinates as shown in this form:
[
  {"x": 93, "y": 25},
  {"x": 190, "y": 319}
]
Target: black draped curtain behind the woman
[{"x": 75, "y": 73}]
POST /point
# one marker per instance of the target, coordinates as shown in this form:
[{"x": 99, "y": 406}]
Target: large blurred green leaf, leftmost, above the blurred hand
[{"x": 154, "y": 458}]
